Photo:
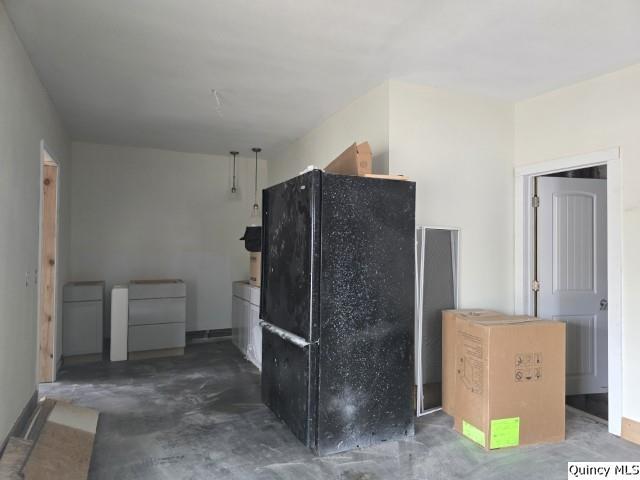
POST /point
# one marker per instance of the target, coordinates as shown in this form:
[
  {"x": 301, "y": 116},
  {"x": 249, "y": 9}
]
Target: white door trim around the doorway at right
[{"x": 524, "y": 244}]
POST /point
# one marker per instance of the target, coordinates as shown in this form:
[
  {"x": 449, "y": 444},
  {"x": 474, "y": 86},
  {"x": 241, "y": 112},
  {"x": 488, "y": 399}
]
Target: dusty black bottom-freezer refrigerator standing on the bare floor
[{"x": 337, "y": 308}]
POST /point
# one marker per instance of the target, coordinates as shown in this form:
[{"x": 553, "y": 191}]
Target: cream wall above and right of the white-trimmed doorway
[{"x": 586, "y": 117}]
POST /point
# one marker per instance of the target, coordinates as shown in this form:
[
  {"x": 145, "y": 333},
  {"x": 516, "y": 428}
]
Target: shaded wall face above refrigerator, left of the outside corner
[{"x": 365, "y": 119}]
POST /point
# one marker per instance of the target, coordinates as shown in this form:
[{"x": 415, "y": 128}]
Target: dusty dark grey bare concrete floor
[{"x": 200, "y": 416}]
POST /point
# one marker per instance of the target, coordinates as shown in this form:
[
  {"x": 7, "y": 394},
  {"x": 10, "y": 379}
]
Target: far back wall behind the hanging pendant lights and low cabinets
[{"x": 144, "y": 213}]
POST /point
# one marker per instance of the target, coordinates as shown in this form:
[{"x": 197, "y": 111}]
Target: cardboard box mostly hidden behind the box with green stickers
[{"x": 448, "y": 351}]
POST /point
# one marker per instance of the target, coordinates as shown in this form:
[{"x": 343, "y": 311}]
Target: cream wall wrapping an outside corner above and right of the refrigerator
[{"x": 457, "y": 148}]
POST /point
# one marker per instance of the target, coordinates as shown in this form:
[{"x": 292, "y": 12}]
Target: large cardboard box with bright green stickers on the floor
[{"x": 510, "y": 388}]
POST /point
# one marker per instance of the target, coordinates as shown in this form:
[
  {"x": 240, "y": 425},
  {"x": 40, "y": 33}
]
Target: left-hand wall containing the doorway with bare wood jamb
[{"x": 26, "y": 117}]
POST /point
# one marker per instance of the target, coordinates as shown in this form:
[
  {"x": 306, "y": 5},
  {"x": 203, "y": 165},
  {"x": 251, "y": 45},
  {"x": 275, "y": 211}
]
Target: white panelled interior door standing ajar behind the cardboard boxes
[{"x": 572, "y": 271}]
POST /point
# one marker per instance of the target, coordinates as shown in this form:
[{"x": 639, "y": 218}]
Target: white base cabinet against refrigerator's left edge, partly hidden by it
[{"x": 246, "y": 333}]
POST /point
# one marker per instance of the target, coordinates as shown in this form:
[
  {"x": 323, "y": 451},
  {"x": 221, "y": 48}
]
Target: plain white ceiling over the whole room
[{"x": 141, "y": 72}]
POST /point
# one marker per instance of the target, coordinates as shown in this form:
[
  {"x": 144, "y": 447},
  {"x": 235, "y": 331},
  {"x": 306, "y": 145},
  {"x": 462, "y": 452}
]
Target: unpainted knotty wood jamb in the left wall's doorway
[{"x": 47, "y": 267}]
